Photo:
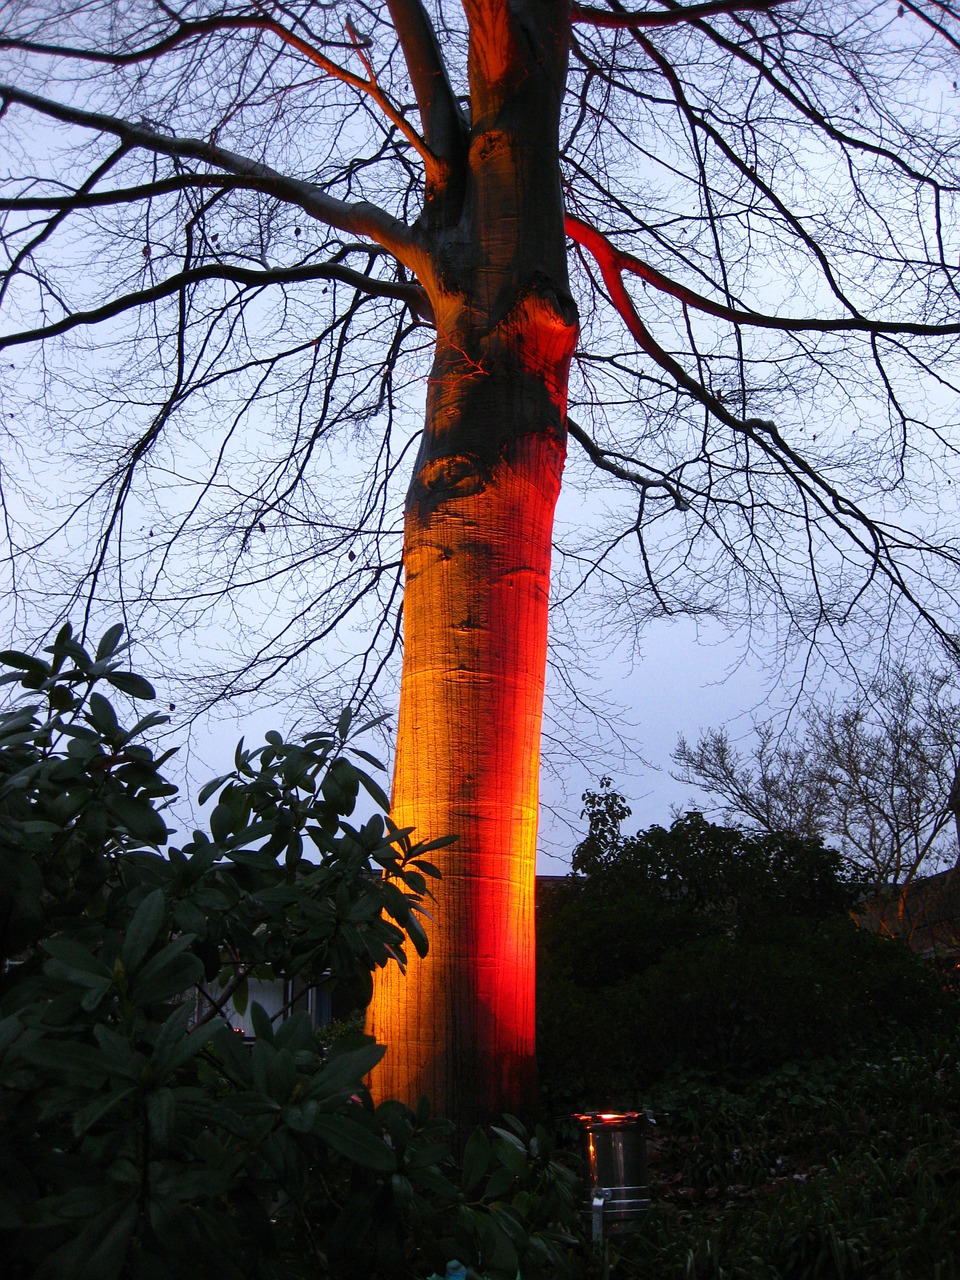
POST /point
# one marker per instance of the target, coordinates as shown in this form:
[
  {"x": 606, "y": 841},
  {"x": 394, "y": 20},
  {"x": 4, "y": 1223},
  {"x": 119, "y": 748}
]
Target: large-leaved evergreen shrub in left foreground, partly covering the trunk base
[{"x": 141, "y": 1136}]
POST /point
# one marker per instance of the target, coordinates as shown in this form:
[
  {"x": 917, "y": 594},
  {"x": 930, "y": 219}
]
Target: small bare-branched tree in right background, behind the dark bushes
[{"x": 876, "y": 774}]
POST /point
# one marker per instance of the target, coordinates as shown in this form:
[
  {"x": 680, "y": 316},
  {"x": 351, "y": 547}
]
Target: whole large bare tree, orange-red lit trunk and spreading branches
[{"x": 276, "y": 223}]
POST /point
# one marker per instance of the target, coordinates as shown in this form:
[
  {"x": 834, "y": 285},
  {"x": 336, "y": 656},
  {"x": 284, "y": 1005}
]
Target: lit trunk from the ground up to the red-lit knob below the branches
[{"x": 460, "y": 1025}]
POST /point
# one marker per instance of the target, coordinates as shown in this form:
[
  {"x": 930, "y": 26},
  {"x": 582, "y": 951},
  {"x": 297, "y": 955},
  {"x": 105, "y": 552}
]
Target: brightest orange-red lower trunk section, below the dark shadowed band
[{"x": 460, "y": 1025}]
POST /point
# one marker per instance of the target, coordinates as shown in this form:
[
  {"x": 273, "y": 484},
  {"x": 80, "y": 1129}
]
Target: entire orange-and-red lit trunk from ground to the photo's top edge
[{"x": 479, "y": 520}]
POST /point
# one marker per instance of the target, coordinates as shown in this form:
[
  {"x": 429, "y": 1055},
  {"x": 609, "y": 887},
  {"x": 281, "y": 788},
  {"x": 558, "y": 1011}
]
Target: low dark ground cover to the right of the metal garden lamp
[{"x": 844, "y": 1169}]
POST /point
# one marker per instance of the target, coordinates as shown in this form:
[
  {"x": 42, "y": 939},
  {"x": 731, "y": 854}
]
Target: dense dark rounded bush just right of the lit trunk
[{"x": 710, "y": 948}]
